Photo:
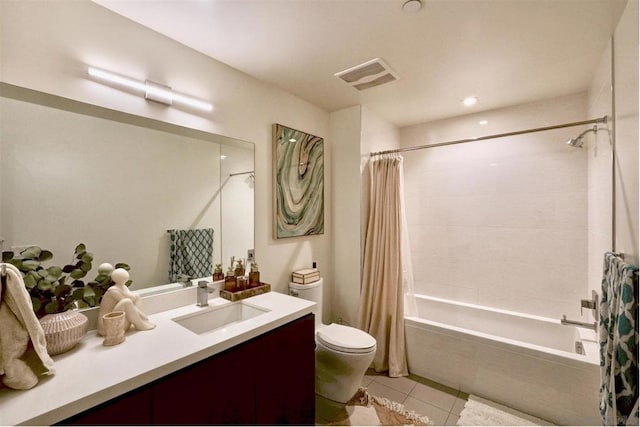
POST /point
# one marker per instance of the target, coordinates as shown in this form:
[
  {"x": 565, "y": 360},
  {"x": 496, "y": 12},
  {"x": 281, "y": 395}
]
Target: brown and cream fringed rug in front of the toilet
[{"x": 367, "y": 410}]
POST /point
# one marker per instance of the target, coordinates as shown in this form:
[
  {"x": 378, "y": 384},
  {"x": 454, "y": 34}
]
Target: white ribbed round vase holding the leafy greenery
[{"x": 64, "y": 330}]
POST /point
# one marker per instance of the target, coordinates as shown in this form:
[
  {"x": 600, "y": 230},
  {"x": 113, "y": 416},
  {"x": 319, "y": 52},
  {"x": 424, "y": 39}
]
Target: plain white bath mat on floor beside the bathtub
[{"x": 481, "y": 412}]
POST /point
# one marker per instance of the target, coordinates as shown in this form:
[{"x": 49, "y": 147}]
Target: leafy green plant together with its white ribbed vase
[{"x": 56, "y": 291}]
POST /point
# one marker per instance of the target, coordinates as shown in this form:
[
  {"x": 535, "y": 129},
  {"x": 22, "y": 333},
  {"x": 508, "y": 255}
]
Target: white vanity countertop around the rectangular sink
[{"x": 91, "y": 373}]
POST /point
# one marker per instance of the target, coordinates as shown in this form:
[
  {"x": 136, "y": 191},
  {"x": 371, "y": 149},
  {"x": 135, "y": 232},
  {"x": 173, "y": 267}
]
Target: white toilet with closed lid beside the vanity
[{"x": 343, "y": 353}]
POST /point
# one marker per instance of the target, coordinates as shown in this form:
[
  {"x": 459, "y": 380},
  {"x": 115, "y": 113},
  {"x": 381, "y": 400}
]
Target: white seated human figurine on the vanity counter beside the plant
[{"x": 119, "y": 298}]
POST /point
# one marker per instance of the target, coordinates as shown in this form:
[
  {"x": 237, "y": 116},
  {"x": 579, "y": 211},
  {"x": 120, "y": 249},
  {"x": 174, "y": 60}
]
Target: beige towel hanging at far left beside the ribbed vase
[{"x": 19, "y": 326}]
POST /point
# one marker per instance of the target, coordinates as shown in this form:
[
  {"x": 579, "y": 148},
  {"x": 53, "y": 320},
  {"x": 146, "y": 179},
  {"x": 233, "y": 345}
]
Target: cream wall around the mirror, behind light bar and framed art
[{"x": 46, "y": 46}]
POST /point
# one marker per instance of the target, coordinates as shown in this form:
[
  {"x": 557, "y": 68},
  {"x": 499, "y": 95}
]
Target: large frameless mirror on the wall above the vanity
[{"x": 74, "y": 173}]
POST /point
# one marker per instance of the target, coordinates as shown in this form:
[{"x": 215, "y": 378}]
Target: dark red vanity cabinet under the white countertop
[{"x": 267, "y": 380}]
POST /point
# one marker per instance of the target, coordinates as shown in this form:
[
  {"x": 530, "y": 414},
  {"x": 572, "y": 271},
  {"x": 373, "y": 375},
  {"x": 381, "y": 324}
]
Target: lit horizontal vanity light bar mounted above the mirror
[{"x": 152, "y": 91}]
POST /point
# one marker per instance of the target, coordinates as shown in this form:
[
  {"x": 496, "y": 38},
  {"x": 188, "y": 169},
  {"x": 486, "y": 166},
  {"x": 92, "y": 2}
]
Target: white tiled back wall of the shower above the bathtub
[{"x": 502, "y": 222}]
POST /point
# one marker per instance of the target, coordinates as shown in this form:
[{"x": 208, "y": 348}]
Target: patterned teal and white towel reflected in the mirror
[{"x": 191, "y": 253}]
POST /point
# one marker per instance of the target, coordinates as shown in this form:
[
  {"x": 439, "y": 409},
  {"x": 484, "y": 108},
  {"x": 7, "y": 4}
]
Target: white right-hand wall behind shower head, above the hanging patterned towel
[{"x": 618, "y": 68}]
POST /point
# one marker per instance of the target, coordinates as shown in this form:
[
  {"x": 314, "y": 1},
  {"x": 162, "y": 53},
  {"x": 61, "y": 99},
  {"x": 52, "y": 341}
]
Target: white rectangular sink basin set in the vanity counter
[{"x": 215, "y": 317}]
